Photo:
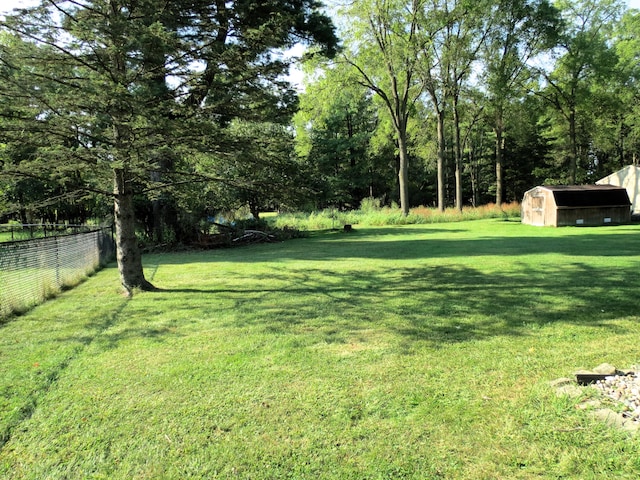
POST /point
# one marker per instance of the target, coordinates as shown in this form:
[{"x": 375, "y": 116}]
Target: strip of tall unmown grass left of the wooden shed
[{"x": 372, "y": 213}]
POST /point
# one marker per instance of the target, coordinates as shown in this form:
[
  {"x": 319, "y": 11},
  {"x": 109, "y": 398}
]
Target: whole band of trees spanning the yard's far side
[{"x": 179, "y": 111}]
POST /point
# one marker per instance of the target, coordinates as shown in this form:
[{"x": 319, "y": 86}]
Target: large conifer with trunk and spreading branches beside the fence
[{"x": 115, "y": 82}]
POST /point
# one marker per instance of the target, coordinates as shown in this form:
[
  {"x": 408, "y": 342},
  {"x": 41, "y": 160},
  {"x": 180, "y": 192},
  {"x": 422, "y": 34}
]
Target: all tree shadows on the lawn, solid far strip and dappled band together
[{"x": 432, "y": 302}]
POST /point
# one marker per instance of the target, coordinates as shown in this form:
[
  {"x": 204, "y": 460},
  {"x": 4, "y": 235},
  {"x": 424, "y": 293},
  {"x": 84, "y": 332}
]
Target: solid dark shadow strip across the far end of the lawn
[{"x": 369, "y": 245}]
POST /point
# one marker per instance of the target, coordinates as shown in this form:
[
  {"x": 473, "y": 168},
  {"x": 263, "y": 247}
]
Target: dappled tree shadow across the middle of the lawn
[{"x": 425, "y": 304}]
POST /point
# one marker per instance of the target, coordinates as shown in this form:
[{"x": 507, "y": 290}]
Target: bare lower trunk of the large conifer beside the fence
[{"x": 127, "y": 251}]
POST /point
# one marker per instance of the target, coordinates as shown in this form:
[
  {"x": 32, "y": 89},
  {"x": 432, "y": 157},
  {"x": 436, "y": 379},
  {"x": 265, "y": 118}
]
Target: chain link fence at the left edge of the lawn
[{"x": 33, "y": 270}]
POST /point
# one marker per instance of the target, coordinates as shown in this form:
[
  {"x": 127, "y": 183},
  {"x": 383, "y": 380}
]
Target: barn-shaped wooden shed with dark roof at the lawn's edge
[{"x": 565, "y": 205}]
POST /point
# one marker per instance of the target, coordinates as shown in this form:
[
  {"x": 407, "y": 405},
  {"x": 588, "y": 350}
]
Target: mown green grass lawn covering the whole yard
[{"x": 409, "y": 352}]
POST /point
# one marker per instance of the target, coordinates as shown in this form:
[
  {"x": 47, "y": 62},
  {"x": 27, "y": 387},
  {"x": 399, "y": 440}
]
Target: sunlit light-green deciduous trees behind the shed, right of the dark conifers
[{"x": 465, "y": 102}]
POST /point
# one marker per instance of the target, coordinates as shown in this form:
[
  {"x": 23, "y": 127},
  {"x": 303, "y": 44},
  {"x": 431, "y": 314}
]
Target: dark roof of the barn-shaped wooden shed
[{"x": 589, "y": 195}]
